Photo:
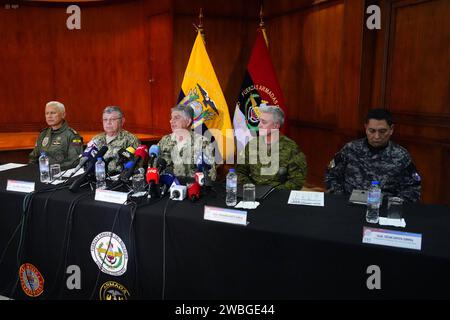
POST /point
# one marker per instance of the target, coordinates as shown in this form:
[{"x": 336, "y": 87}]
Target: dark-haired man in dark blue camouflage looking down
[{"x": 375, "y": 157}]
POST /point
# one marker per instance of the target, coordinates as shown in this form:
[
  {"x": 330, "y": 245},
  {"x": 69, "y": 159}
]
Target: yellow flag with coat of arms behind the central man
[{"x": 201, "y": 90}]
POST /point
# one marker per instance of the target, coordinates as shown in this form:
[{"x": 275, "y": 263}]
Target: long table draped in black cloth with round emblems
[{"x": 285, "y": 252}]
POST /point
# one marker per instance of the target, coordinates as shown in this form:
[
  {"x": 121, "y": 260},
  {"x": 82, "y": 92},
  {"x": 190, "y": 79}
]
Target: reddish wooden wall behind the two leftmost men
[{"x": 107, "y": 62}]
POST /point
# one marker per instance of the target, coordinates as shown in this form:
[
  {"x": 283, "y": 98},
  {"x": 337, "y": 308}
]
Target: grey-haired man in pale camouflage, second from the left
[{"x": 114, "y": 137}]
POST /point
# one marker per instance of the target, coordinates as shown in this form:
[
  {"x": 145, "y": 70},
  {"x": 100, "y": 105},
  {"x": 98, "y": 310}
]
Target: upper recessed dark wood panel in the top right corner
[{"x": 419, "y": 59}]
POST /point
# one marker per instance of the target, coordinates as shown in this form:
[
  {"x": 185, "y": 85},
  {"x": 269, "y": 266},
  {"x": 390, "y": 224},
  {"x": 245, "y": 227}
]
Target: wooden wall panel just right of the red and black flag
[{"x": 308, "y": 66}]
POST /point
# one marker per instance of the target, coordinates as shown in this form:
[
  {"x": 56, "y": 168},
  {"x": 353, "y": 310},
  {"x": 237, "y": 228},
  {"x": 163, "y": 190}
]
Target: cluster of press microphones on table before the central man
[{"x": 160, "y": 180}]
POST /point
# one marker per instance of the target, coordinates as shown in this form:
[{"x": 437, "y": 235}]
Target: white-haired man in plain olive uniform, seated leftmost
[{"x": 61, "y": 143}]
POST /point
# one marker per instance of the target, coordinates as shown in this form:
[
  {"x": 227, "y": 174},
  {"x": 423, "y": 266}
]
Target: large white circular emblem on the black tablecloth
[{"x": 109, "y": 253}]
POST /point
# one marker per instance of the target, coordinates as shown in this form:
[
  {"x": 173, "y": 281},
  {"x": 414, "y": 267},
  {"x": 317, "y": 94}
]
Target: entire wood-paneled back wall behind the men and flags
[{"x": 332, "y": 69}]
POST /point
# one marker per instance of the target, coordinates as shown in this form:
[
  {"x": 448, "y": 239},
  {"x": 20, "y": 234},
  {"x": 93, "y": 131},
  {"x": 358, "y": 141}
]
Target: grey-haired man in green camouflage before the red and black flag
[{"x": 252, "y": 166}]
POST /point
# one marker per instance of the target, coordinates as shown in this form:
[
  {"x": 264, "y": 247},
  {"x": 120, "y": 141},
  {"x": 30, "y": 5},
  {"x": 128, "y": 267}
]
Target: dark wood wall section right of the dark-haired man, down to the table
[{"x": 411, "y": 76}]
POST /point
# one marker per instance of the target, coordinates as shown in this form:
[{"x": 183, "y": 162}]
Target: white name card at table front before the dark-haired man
[{"x": 392, "y": 238}]
